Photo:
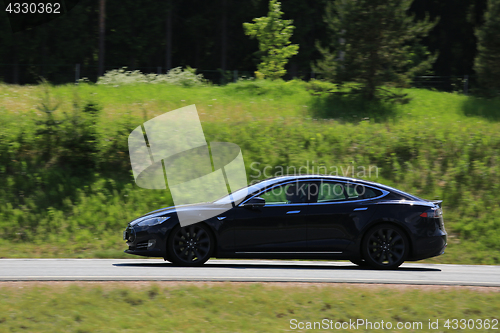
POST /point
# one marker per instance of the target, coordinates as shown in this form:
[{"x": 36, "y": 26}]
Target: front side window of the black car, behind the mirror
[{"x": 287, "y": 194}]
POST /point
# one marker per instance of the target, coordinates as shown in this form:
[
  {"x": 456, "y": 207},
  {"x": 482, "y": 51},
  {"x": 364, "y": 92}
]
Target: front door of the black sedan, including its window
[{"x": 279, "y": 226}]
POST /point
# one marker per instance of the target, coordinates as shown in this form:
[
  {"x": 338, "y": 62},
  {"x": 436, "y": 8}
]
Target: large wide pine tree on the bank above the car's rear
[{"x": 373, "y": 43}]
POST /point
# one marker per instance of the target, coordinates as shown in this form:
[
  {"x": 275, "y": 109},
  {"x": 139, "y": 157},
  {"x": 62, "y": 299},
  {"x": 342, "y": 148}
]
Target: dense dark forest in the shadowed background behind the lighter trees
[{"x": 154, "y": 36}]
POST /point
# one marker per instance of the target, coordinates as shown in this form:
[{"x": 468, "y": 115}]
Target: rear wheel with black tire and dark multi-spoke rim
[{"x": 385, "y": 246}]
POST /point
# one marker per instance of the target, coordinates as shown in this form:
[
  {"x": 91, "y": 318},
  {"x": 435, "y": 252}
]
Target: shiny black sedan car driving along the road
[{"x": 298, "y": 217}]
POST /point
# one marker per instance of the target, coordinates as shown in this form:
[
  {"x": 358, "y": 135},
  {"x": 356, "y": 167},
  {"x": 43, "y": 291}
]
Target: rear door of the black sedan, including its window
[{"x": 337, "y": 214}]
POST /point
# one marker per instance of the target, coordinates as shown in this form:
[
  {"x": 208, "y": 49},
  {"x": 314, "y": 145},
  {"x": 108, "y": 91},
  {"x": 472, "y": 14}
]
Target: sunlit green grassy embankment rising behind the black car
[{"x": 67, "y": 189}]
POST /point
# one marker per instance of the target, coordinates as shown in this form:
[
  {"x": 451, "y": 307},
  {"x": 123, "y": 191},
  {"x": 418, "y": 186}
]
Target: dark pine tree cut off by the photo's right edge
[{"x": 487, "y": 64}]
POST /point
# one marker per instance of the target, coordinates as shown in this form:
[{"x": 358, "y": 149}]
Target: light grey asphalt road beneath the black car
[{"x": 243, "y": 270}]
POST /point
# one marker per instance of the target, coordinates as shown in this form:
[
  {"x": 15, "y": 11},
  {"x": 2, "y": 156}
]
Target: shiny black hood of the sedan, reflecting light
[{"x": 202, "y": 210}]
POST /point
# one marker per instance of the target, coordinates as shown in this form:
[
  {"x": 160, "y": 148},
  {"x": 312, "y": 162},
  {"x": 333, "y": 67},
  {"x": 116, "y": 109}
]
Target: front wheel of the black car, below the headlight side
[{"x": 190, "y": 246}]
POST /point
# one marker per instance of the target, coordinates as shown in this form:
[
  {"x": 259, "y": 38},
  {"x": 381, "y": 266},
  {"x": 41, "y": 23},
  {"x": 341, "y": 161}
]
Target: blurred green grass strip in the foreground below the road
[{"x": 232, "y": 307}]
